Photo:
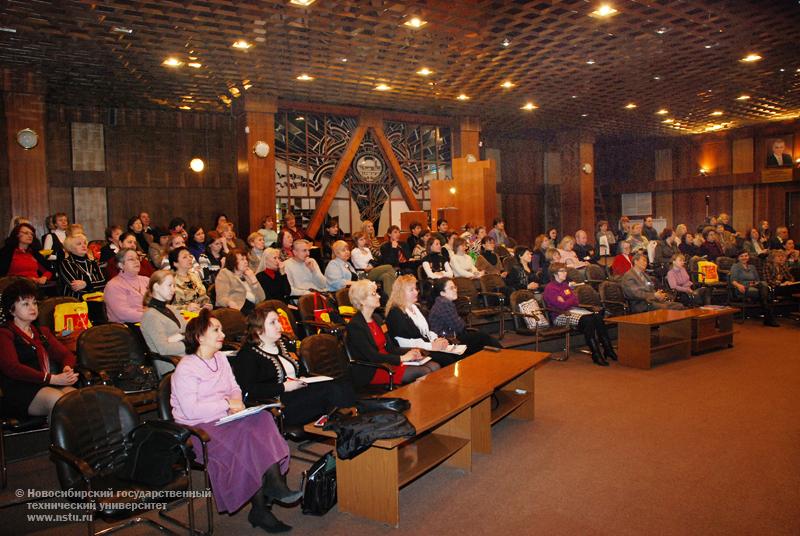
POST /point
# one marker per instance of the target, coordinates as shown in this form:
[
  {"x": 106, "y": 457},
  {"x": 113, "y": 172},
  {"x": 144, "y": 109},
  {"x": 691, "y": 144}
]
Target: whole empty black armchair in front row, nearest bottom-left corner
[{"x": 90, "y": 445}]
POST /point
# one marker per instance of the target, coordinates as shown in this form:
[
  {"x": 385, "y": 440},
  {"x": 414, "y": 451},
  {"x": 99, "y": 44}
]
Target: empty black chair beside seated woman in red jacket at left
[{"x": 104, "y": 351}]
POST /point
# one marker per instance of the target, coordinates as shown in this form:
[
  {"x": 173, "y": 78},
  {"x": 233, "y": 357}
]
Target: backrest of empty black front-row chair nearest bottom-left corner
[{"x": 92, "y": 423}]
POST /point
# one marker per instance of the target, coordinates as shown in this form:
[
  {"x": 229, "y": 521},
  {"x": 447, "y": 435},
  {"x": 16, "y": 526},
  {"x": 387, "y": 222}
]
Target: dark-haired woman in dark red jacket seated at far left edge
[{"x": 35, "y": 368}]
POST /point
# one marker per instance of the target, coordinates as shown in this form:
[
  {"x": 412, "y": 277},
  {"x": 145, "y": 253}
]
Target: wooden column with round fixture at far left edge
[{"x": 24, "y": 102}]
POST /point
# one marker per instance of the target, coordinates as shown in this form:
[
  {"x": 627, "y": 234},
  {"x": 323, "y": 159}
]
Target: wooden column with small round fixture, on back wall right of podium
[{"x": 577, "y": 186}]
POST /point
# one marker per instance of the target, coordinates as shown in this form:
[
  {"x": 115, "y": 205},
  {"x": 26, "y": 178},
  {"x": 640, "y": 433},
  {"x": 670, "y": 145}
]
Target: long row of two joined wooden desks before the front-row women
[{"x": 451, "y": 410}]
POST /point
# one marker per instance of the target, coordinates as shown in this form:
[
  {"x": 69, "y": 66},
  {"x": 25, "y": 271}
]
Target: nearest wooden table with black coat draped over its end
[{"x": 369, "y": 484}]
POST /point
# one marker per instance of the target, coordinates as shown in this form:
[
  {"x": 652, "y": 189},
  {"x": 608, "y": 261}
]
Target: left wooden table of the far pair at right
[{"x": 654, "y": 336}]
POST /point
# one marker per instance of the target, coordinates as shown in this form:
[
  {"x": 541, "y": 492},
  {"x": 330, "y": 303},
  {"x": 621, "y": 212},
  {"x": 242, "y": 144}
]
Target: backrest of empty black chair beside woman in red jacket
[{"x": 108, "y": 348}]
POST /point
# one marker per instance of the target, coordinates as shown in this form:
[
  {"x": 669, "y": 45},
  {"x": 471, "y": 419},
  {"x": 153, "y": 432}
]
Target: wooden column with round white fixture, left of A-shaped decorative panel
[{"x": 255, "y": 121}]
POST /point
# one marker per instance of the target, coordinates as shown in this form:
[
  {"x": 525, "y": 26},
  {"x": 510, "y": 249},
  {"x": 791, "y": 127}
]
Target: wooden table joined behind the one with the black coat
[{"x": 509, "y": 375}]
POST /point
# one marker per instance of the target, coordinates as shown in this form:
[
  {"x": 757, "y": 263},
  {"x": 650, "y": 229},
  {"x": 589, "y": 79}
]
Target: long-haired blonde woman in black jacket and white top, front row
[{"x": 407, "y": 324}]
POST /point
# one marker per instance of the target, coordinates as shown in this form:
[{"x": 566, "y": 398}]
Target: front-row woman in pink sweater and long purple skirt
[{"x": 247, "y": 458}]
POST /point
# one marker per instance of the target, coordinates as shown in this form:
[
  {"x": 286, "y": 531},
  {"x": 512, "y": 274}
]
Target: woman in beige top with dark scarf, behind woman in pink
[{"x": 163, "y": 325}]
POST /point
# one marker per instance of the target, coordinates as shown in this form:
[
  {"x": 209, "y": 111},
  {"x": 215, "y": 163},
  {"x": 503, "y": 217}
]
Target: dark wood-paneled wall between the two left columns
[{"x": 147, "y": 163}]
